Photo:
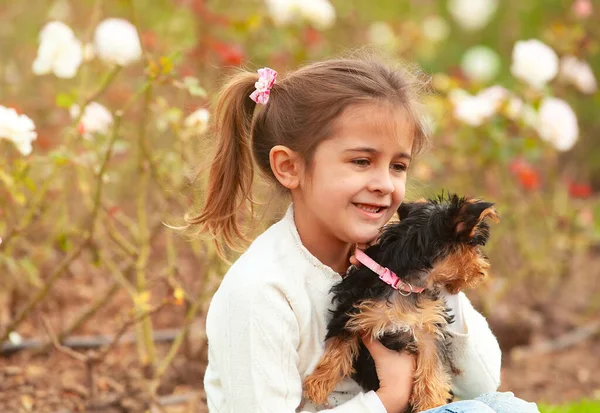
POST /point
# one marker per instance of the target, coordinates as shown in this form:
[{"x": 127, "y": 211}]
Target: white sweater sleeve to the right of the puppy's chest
[{"x": 476, "y": 352}]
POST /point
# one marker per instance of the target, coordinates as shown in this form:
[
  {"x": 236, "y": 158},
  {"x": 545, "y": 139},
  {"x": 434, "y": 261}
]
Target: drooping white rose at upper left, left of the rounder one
[{"x": 59, "y": 51}]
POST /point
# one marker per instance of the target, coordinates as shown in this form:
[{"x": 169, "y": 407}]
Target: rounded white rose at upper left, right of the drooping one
[{"x": 117, "y": 42}]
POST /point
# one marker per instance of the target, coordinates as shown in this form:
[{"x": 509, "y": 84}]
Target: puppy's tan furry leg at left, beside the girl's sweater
[{"x": 335, "y": 364}]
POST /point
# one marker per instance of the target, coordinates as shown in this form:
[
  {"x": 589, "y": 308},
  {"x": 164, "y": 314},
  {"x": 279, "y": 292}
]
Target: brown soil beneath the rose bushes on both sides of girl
[{"x": 56, "y": 382}]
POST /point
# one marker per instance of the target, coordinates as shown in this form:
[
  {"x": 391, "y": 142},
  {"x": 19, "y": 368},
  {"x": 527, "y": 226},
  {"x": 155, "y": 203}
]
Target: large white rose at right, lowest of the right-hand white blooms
[{"x": 557, "y": 123}]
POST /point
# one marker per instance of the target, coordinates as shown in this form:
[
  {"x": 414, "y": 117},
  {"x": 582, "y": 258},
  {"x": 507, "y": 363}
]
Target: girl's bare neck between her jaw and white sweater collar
[{"x": 333, "y": 253}]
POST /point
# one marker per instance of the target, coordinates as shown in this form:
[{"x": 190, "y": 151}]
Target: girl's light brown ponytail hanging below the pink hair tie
[{"x": 231, "y": 172}]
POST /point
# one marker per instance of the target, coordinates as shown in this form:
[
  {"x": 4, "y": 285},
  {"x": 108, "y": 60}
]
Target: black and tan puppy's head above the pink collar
[{"x": 438, "y": 242}]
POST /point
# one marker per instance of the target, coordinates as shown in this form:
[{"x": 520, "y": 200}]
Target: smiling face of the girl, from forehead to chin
[{"x": 357, "y": 177}]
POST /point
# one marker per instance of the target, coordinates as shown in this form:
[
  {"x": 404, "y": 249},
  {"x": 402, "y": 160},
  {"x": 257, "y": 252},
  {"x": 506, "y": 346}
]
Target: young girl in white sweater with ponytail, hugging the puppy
[{"x": 339, "y": 136}]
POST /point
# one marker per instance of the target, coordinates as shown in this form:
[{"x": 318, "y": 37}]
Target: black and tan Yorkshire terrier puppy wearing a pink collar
[{"x": 395, "y": 297}]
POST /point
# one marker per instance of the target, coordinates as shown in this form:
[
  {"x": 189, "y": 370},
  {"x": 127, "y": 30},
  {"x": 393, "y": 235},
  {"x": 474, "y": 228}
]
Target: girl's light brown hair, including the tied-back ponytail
[{"x": 300, "y": 114}]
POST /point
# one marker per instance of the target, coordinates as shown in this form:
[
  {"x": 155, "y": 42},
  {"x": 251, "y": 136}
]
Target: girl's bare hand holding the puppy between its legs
[{"x": 395, "y": 372}]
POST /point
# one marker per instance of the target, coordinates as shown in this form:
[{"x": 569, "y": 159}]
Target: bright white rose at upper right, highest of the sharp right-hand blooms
[{"x": 534, "y": 62}]
